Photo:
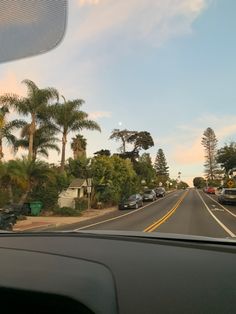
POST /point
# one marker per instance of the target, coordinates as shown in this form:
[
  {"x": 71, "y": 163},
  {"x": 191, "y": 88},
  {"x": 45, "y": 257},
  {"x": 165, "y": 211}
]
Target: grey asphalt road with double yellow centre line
[{"x": 190, "y": 212}]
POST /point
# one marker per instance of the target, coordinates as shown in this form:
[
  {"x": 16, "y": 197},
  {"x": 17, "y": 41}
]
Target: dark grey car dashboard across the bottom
[{"x": 112, "y": 272}]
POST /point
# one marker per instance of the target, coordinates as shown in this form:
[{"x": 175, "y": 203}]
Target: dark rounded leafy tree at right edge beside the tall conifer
[{"x": 226, "y": 156}]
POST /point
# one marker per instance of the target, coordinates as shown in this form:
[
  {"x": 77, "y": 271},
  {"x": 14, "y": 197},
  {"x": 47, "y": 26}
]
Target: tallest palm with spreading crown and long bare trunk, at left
[{"x": 35, "y": 104}]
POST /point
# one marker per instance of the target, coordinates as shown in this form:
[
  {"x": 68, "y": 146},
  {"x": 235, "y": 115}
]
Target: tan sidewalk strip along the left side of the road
[{"x": 44, "y": 222}]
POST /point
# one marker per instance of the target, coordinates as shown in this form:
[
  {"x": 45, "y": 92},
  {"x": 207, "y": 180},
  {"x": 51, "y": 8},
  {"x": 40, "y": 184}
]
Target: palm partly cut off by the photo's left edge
[{"x": 6, "y": 129}]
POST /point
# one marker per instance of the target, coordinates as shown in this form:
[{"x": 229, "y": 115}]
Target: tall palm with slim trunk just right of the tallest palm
[{"x": 69, "y": 118}]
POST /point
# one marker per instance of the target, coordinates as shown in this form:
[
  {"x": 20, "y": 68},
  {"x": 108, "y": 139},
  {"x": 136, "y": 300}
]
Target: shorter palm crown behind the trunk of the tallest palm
[{"x": 44, "y": 140}]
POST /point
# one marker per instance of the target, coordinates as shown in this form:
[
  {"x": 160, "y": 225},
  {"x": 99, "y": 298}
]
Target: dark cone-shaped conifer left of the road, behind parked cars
[{"x": 160, "y": 165}]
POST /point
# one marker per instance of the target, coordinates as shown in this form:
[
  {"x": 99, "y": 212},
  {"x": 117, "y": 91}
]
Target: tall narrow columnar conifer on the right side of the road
[{"x": 209, "y": 142}]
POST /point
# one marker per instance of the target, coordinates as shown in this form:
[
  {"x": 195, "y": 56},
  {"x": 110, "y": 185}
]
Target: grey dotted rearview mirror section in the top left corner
[{"x": 31, "y": 27}]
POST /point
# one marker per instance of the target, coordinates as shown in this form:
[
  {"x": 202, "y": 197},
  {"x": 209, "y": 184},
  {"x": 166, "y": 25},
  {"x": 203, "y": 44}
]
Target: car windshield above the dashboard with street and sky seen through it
[{"x": 137, "y": 98}]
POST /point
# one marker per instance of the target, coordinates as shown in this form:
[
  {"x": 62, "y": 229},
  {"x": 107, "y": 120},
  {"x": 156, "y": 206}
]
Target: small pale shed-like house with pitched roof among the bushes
[{"x": 77, "y": 189}]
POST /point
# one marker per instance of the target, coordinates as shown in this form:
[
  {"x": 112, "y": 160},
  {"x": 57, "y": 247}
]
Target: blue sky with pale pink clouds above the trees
[{"x": 163, "y": 66}]
